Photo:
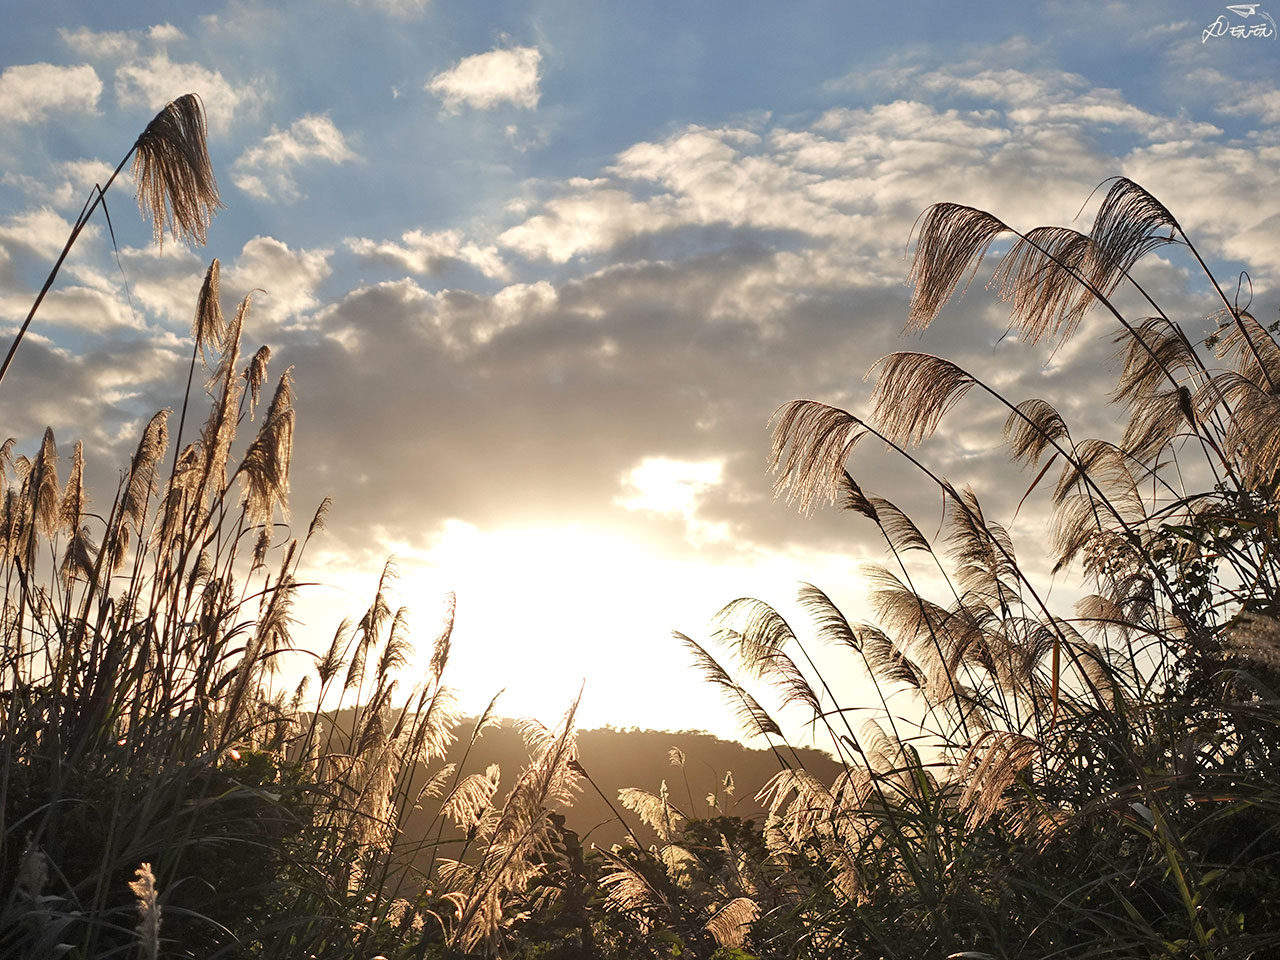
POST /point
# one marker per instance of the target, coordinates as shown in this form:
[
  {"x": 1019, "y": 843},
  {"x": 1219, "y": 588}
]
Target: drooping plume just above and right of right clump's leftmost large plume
[{"x": 915, "y": 392}]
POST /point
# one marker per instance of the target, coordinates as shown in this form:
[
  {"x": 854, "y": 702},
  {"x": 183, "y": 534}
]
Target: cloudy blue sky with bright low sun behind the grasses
[{"x": 545, "y": 271}]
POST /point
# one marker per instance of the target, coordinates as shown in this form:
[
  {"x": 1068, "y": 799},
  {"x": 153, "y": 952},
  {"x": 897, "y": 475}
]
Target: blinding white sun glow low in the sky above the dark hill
[{"x": 545, "y": 610}]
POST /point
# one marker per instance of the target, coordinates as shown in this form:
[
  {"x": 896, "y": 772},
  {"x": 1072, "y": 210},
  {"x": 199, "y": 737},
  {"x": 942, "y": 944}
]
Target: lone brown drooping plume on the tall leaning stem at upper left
[{"x": 173, "y": 173}]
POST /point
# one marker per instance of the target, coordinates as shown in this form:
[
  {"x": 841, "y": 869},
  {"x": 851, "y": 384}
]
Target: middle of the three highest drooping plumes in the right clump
[{"x": 1041, "y": 280}]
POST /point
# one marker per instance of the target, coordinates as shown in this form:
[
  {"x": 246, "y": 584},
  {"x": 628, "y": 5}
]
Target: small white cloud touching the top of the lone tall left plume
[{"x": 156, "y": 81}]
